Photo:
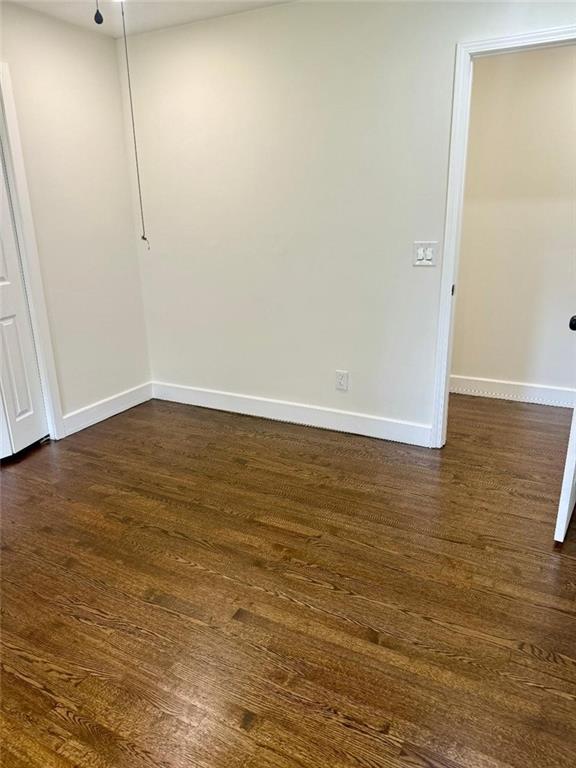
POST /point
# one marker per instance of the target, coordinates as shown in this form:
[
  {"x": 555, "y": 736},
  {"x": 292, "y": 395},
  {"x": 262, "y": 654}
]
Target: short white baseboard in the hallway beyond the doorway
[{"x": 514, "y": 390}]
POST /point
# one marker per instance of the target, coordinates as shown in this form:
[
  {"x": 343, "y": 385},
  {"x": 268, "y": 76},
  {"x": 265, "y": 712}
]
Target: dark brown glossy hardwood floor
[{"x": 183, "y": 587}]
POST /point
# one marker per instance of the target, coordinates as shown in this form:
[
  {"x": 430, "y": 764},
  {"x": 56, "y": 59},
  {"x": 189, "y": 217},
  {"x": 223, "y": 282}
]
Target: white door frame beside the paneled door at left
[{"x": 29, "y": 258}]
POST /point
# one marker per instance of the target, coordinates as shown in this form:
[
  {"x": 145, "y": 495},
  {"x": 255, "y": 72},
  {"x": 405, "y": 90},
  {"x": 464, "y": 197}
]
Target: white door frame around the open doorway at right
[{"x": 465, "y": 55}]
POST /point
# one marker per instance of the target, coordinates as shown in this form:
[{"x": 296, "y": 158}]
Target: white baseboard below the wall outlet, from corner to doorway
[{"x": 297, "y": 413}]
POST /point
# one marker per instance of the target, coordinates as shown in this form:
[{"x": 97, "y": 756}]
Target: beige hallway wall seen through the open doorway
[{"x": 517, "y": 276}]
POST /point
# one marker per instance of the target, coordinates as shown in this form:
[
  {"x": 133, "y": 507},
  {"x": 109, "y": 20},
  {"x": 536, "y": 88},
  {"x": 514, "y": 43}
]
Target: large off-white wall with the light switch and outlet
[{"x": 290, "y": 158}]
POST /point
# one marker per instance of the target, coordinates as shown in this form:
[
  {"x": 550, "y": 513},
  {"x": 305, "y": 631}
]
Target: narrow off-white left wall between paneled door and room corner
[{"x": 68, "y": 99}]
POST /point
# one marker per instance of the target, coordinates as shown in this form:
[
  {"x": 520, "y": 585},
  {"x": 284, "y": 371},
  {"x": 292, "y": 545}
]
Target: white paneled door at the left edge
[{"x": 20, "y": 386}]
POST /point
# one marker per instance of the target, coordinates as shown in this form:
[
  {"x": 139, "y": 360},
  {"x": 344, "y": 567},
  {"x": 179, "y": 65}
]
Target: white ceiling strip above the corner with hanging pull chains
[{"x": 142, "y": 15}]
